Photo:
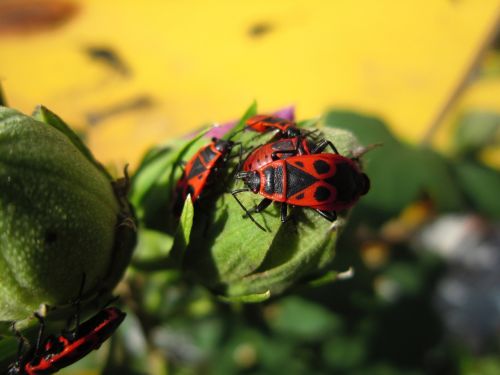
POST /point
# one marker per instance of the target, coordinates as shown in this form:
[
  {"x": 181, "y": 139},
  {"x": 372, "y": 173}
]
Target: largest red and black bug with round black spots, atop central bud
[{"x": 324, "y": 182}]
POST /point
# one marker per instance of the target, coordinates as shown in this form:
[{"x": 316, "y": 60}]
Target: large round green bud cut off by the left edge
[{"x": 62, "y": 218}]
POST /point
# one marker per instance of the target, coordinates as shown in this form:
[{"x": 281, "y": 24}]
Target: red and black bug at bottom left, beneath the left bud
[{"x": 57, "y": 352}]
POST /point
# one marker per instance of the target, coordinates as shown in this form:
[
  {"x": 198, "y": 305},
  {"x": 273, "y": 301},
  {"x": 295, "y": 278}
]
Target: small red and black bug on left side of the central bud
[{"x": 199, "y": 171}]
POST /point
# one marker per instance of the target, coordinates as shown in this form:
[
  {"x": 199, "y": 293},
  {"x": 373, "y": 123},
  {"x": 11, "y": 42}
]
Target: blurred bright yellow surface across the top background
[{"x": 183, "y": 64}]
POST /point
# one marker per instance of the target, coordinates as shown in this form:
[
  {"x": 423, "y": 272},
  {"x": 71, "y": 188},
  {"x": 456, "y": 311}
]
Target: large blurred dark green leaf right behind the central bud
[{"x": 399, "y": 173}]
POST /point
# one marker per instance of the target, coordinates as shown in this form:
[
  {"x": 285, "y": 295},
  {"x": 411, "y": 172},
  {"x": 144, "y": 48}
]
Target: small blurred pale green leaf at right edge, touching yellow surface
[{"x": 476, "y": 130}]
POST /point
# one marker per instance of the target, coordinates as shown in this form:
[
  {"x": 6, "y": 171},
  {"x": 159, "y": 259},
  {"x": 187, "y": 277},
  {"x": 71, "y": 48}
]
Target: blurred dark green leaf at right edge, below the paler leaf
[{"x": 481, "y": 185}]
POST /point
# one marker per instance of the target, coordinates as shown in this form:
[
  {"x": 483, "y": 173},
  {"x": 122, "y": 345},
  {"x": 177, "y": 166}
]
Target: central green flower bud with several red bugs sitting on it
[{"x": 226, "y": 252}]
